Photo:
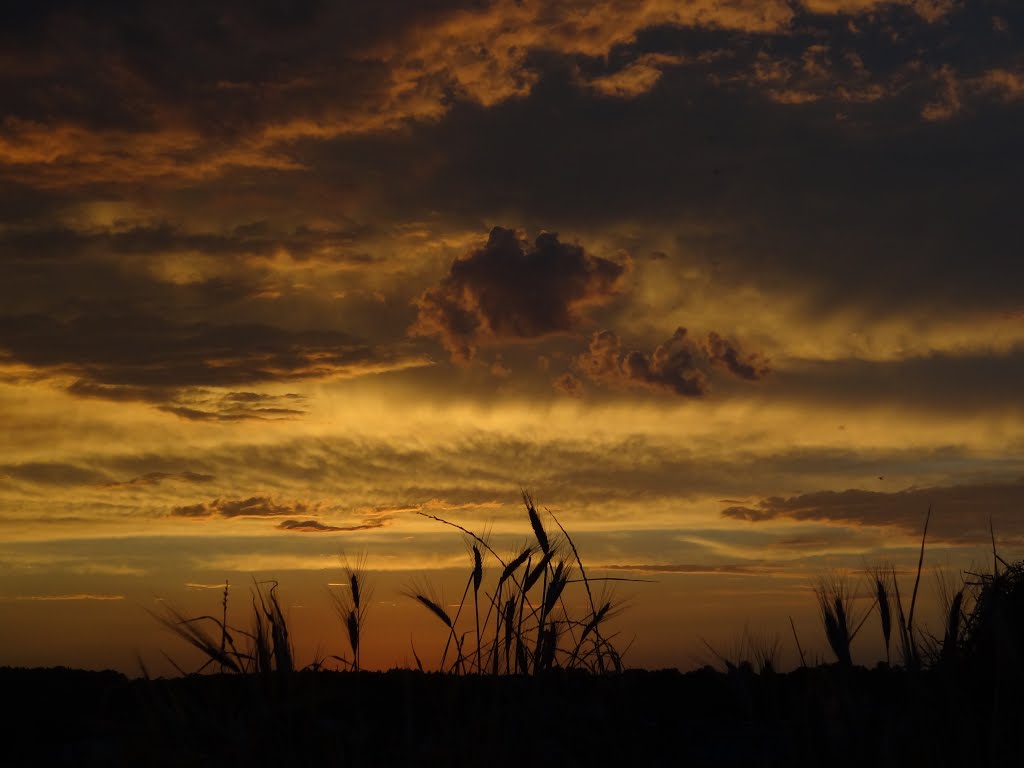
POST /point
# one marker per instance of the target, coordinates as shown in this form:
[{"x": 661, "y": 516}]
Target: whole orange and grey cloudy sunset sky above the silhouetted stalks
[{"x": 732, "y": 287}]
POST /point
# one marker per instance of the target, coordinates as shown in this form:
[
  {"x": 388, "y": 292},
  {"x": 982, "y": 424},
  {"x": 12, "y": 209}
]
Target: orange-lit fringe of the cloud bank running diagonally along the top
[{"x": 413, "y": 75}]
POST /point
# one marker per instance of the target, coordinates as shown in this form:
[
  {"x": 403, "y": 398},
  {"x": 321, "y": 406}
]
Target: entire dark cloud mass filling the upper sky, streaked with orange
[{"x": 752, "y": 119}]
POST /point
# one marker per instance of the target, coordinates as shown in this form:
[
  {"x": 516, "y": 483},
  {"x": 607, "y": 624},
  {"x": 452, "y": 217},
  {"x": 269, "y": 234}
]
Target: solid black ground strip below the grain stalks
[{"x": 820, "y": 717}]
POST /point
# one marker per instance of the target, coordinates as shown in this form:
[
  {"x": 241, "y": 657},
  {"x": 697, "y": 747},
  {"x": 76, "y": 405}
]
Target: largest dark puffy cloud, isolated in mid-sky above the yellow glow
[{"x": 511, "y": 291}]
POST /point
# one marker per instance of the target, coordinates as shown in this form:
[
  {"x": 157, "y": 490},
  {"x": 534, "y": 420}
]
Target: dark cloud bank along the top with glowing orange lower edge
[{"x": 209, "y": 96}]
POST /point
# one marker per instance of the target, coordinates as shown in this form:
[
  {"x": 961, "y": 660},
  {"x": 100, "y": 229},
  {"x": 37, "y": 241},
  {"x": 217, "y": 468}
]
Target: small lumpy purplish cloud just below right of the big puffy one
[{"x": 672, "y": 368}]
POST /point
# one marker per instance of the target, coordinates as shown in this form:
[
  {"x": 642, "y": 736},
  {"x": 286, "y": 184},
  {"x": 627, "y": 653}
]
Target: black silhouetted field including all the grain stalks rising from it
[{"x": 525, "y": 682}]
